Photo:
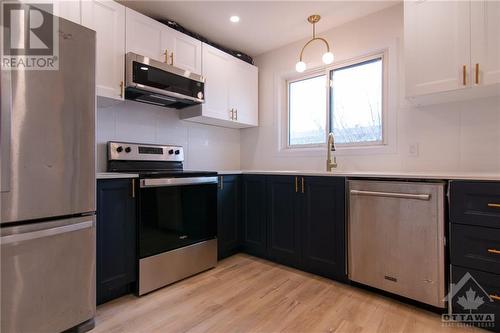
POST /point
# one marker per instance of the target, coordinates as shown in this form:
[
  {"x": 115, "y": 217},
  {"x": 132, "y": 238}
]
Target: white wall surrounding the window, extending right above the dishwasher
[{"x": 458, "y": 137}]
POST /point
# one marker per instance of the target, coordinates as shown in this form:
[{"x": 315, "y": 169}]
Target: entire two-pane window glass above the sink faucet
[{"x": 352, "y": 106}]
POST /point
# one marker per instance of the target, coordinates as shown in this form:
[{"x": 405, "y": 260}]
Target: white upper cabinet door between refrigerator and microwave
[{"x": 107, "y": 18}]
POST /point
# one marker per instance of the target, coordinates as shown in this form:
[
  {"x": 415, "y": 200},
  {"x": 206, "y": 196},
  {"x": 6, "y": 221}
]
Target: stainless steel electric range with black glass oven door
[{"x": 177, "y": 212}]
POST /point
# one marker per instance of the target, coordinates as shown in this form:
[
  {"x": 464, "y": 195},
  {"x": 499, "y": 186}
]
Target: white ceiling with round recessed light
[{"x": 264, "y": 25}]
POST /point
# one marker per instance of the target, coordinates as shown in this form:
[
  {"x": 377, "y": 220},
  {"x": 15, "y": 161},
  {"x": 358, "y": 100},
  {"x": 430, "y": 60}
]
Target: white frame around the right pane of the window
[{"x": 359, "y": 60}]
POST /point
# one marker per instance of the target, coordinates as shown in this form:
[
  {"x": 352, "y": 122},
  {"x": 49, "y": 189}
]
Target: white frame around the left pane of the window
[{"x": 306, "y": 76}]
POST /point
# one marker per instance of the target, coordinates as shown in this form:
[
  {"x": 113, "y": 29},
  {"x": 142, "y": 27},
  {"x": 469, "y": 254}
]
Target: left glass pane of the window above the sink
[{"x": 306, "y": 111}]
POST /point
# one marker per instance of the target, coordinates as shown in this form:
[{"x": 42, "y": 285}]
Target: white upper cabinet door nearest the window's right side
[{"x": 437, "y": 46}]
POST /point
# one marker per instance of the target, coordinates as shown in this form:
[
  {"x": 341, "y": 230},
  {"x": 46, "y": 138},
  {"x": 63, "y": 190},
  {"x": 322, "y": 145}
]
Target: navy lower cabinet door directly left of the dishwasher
[{"x": 323, "y": 223}]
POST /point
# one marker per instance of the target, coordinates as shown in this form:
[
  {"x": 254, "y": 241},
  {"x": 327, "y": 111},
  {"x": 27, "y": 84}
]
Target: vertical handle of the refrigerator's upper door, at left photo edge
[{"x": 5, "y": 128}]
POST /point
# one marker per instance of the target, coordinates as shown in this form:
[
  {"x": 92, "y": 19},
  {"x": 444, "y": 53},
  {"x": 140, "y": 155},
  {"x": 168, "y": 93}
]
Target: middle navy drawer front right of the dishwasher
[{"x": 475, "y": 247}]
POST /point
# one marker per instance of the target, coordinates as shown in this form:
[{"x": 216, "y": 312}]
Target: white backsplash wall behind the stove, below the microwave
[{"x": 206, "y": 147}]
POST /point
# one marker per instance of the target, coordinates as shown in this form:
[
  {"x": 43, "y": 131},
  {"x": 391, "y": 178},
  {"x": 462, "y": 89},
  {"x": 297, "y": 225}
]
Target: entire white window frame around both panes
[{"x": 304, "y": 148}]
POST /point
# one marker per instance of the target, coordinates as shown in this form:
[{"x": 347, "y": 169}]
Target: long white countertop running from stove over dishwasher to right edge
[{"x": 374, "y": 174}]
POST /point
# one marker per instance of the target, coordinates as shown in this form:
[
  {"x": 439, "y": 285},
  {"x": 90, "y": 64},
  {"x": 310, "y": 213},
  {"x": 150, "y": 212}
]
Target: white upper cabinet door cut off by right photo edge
[{"x": 485, "y": 40}]
